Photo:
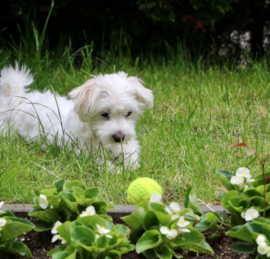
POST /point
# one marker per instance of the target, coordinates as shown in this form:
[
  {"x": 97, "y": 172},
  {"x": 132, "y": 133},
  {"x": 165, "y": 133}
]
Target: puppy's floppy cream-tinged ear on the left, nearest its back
[{"x": 84, "y": 98}]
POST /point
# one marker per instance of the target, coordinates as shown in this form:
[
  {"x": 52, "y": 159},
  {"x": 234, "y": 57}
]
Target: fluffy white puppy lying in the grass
[{"x": 102, "y": 112}]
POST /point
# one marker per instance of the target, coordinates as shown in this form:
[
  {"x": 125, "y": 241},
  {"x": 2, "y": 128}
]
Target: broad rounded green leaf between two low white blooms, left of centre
[{"x": 83, "y": 236}]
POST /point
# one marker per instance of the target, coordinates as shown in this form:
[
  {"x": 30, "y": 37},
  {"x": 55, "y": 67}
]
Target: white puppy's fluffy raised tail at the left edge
[{"x": 13, "y": 81}]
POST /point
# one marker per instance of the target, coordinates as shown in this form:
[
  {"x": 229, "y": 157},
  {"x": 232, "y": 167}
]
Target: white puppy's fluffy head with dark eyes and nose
[{"x": 111, "y": 104}]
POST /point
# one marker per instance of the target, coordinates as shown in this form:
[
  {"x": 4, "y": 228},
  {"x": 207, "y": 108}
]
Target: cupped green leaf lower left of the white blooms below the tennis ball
[{"x": 150, "y": 239}]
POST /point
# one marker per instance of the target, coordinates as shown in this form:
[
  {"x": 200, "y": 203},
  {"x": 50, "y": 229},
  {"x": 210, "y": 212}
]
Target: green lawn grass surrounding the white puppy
[{"x": 198, "y": 112}]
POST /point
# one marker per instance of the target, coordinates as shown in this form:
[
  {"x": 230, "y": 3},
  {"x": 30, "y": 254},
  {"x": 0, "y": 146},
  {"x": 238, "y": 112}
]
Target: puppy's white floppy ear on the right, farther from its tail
[{"x": 144, "y": 95}]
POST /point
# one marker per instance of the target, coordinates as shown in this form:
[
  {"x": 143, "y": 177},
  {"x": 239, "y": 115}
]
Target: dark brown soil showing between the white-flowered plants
[{"x": 40, "y": 243}]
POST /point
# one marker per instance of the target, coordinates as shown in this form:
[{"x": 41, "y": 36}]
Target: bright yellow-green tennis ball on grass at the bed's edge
[{"x": 141, "y": 189}]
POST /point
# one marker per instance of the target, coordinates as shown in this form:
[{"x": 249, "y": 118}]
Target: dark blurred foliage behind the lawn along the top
[{"x": 228, "y": 29}]
